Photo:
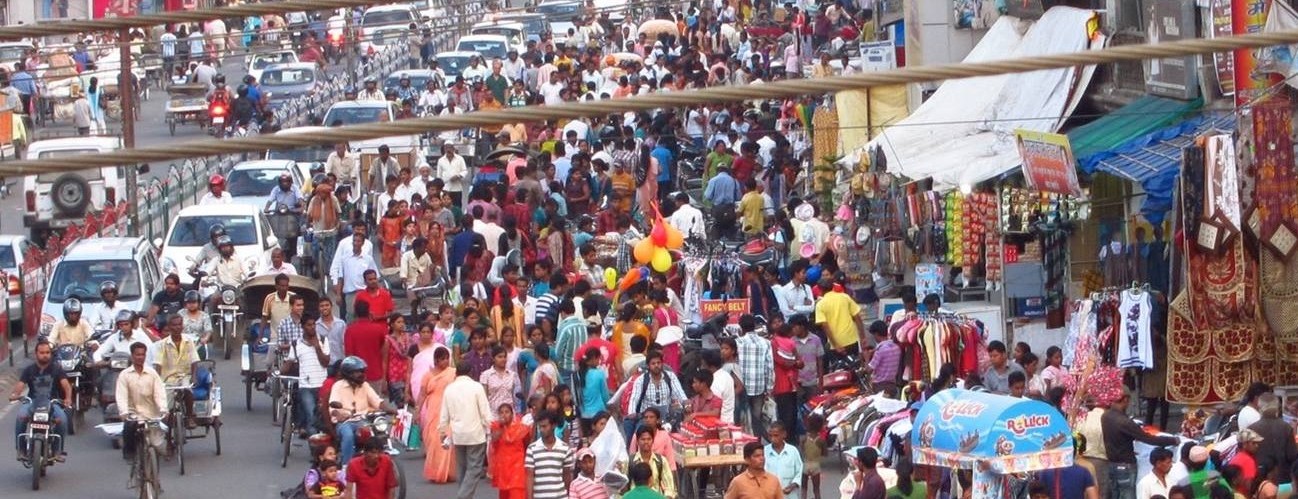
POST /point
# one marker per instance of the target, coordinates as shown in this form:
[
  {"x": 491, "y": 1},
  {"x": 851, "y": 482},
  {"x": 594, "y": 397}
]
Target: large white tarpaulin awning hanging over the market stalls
[{"x": 964, "y": 134}]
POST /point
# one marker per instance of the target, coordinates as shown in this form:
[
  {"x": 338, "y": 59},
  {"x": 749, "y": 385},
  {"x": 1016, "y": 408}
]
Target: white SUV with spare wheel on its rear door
[{"x": 56, "y": 201}]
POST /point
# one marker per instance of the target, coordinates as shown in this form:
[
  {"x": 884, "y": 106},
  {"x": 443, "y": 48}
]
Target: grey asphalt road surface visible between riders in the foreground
[{"x": 249, "y": 467}]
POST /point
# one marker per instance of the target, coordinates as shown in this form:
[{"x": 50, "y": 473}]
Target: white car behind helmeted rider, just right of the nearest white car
[{"x": 246, "y": 225}]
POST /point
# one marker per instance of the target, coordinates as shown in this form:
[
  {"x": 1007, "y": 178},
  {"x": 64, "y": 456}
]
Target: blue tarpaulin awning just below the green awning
[{"x": 1155, "y": 160}]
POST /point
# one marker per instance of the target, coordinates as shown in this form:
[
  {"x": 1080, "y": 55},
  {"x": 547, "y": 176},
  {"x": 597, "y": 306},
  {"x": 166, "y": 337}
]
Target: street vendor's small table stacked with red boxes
[{"x": 708, "y": 445}]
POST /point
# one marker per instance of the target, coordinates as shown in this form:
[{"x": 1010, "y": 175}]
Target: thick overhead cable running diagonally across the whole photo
[{"x": 731, "y": 94}]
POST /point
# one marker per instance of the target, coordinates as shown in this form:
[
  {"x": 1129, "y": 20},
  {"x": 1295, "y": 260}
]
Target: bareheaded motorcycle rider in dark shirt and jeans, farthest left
[{"x": 47, "y": 381}]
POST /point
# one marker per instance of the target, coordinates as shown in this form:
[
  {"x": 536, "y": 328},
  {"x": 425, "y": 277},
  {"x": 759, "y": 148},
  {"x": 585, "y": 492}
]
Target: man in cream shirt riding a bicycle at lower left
[{"x": 140, "y": 396}]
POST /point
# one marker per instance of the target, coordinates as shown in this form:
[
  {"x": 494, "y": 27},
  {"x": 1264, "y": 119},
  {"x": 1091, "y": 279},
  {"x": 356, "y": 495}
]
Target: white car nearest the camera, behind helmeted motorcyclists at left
[{"x": 132, "y": 263}]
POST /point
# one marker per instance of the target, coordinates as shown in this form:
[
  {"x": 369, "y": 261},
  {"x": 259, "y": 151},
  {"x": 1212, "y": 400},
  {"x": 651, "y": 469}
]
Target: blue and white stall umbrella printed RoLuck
[{"x": 994, "y": 436}]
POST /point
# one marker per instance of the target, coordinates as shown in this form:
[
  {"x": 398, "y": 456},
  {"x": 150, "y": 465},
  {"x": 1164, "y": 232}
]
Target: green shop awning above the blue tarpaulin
[{"x": 1140, "y": 118}]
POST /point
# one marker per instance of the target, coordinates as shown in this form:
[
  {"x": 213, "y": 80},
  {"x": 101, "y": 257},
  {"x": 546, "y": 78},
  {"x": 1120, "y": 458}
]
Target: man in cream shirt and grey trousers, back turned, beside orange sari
[{"x": 464, "y": 422}]
